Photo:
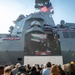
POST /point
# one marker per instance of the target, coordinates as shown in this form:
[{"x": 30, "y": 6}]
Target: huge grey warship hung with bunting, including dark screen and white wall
[{"x": 35, "y": 38}]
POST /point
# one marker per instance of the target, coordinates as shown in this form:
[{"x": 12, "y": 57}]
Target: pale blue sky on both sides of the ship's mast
[{"x": 11, "y": 9}]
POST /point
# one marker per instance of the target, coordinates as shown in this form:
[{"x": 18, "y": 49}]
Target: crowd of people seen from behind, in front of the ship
[{"x": 36, "y": 69}]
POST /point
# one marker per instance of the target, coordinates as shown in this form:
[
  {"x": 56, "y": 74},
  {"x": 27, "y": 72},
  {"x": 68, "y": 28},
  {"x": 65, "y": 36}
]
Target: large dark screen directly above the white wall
[{"x": 37, "y": 44}]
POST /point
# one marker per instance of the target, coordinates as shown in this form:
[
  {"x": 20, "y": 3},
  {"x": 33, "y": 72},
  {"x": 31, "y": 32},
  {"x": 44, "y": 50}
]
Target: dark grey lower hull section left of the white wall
[{"x": 11, "y": 57}]
